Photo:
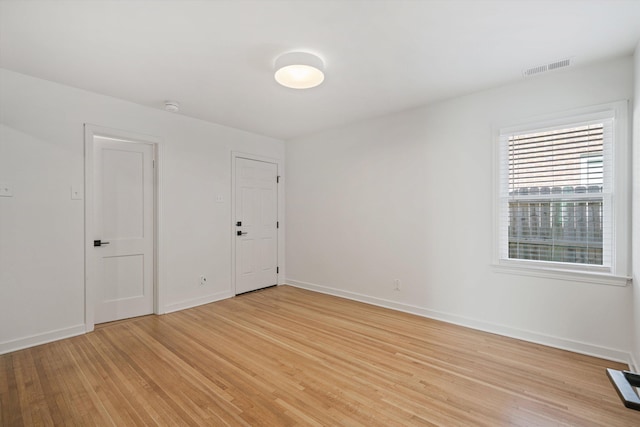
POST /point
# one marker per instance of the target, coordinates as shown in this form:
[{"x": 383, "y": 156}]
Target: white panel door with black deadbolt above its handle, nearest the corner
[{"x": 256, "y": 203}]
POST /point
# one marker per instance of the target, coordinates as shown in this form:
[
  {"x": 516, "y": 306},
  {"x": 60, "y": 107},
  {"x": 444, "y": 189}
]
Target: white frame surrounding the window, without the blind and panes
[{"x": 617, "y": 272}]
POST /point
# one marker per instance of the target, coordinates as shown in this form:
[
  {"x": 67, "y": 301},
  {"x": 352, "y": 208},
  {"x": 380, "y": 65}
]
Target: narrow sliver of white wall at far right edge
[{"x": 635, "y": 217}]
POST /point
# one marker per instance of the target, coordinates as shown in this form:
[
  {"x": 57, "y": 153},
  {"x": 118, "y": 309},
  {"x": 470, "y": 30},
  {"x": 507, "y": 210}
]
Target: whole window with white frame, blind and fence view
[{"x": 562, "y": 195}]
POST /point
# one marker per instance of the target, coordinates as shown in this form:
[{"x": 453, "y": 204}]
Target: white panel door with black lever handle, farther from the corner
[{"x": 123, "y": 189}]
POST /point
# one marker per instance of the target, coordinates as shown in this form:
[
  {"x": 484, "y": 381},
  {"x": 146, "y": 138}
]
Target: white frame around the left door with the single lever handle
[{"x": 89, "y": 275}]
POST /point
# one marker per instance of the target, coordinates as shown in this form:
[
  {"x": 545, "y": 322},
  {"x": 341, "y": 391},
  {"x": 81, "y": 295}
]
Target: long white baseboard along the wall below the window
[{"x": 534, "y": 337}]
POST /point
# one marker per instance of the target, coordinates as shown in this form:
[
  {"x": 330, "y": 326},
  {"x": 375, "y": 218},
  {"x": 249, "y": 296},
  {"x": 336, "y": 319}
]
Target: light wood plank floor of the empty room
[{"x": 285, "y": 356}]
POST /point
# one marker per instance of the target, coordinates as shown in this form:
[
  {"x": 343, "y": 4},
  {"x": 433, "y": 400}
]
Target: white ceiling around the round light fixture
[{"x": 216, "y": 57}]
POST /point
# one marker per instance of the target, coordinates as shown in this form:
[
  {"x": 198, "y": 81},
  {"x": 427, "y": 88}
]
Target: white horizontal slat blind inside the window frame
[{"x": 555, "y": 187}]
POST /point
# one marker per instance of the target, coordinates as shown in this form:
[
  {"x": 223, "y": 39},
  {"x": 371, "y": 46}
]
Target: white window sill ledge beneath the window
[{"x": 561, "y": 274}]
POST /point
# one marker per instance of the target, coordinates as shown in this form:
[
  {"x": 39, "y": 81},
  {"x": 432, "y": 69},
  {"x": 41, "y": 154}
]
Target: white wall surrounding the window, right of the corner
[{"x": 409, "y": 197}]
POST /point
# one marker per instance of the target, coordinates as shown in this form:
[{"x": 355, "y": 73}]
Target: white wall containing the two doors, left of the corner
[{"x": 42, "y": 229}]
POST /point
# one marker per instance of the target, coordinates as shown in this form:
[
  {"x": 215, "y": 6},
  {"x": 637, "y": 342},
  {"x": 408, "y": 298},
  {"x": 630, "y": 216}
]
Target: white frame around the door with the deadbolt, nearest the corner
[{"x": 280, "y": 213}]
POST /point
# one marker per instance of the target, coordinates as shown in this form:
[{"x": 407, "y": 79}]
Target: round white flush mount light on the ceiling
[{"x": 299, "y": 70}]
